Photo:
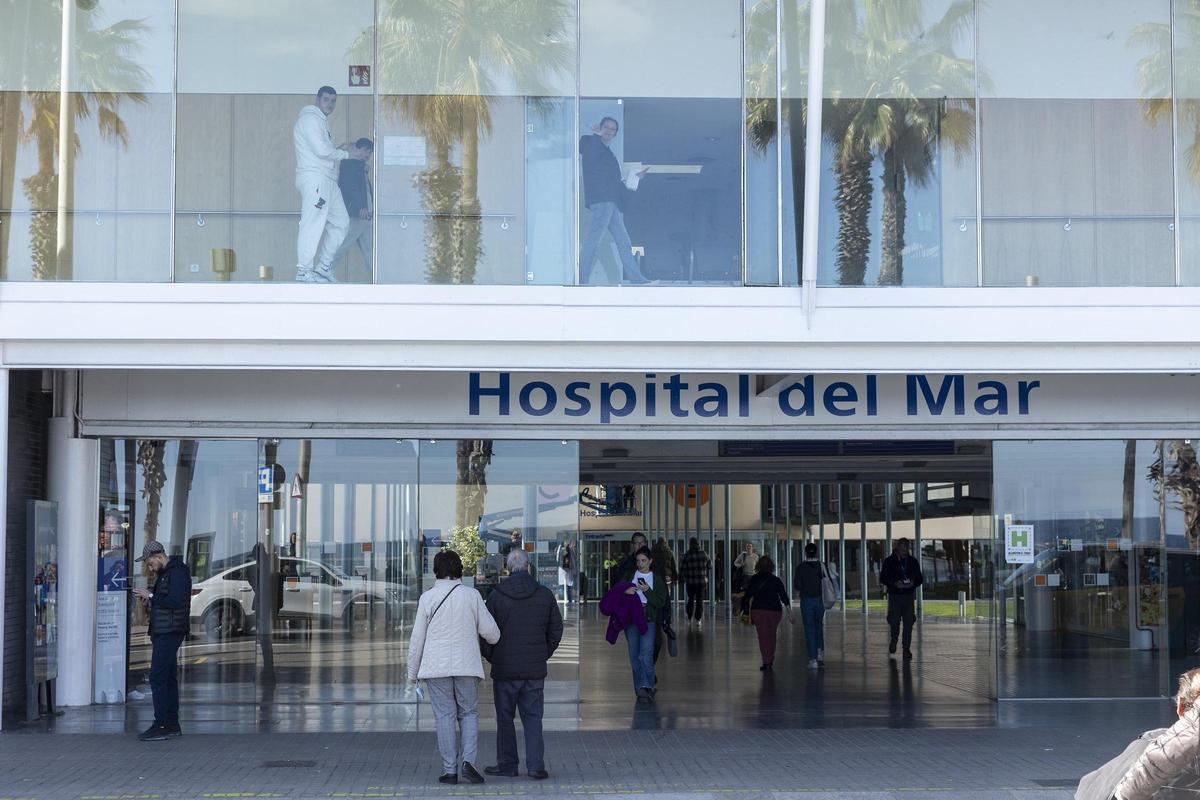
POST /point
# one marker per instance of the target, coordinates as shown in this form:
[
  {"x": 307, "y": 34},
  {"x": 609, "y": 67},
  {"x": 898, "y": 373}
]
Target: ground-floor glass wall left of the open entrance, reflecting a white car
[{"x": 308, "y": 594}]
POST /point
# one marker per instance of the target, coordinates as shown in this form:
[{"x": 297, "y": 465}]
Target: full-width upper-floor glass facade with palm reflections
[{"x": 566, "y": 142}]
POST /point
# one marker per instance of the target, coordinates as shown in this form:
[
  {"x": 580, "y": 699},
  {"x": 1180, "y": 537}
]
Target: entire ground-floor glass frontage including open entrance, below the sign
[{"x": 307, "y": 592}]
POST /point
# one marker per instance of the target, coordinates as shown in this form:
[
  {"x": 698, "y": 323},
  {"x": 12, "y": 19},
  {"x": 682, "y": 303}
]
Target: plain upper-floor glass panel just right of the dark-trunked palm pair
[{"x": 1076, "y": 152}]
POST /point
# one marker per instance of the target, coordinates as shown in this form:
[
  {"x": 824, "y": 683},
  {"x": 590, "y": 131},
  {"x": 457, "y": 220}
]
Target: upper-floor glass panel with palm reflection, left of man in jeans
[{"x": 477, "y": 124}]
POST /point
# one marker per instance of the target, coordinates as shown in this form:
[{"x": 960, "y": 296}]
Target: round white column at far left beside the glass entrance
[{"x": 74, "y": 483}]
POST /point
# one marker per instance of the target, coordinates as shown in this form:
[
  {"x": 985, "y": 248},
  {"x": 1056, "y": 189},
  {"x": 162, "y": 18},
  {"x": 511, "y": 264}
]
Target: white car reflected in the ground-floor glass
[{"x": 224, "y": 606}]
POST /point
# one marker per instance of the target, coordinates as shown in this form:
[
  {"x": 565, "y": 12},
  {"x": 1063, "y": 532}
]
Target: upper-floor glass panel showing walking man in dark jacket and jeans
[{"x": 683, "y": 222}]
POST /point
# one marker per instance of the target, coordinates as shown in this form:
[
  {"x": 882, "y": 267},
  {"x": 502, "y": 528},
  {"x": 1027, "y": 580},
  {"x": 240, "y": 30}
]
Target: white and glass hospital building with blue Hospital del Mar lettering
[{"x": 976, "y": 244}]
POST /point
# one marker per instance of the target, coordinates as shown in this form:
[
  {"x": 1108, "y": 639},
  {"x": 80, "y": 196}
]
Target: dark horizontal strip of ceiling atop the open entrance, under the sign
[{"x": 781, "y": 462}]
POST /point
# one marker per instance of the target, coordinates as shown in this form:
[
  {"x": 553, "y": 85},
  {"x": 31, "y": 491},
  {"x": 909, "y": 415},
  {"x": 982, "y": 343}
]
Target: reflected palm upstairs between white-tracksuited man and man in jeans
[{"x": 465, "y": 52}]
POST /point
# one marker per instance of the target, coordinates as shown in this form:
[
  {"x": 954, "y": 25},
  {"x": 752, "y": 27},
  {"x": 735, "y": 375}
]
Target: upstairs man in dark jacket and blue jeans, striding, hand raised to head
[{"x": 605, "y": 195}]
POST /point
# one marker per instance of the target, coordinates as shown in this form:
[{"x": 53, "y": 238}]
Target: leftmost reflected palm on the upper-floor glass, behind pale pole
[{"x": 103, "y": 58}]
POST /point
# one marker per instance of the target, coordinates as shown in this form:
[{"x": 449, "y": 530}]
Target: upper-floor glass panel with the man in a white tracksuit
[{"x": 237, "y": 181}]
